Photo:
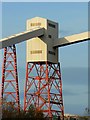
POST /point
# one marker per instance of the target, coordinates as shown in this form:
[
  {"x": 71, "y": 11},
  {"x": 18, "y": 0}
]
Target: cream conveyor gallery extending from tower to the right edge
[{"x": 71, "y": 39}]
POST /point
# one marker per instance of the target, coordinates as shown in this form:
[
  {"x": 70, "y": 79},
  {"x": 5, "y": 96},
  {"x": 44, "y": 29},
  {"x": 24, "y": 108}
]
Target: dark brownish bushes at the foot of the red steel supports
[{"x": 9, "y": 112}]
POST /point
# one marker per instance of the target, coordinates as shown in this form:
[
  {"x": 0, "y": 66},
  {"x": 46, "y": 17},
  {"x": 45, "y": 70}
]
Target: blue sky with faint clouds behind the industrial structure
[{"x": 72, "y": 18}]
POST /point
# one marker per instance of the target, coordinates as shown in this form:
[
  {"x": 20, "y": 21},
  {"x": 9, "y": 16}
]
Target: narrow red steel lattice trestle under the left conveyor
[{"x": 10, "y": 89}]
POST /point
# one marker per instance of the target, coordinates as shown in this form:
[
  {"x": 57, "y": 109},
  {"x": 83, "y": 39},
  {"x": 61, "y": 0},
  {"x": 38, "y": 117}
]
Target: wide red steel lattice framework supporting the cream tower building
[{"x": 43, "y": 88}]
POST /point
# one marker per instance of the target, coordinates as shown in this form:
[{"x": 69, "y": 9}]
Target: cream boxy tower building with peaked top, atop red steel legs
[{"x": 41, "y": 49}]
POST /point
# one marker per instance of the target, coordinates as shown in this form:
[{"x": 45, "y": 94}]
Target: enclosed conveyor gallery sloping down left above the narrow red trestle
[{"x": 20, "y": 37}]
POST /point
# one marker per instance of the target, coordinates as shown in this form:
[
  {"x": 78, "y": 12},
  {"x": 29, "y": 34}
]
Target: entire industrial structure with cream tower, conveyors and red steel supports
[{"x": 43, "y": 85}]
